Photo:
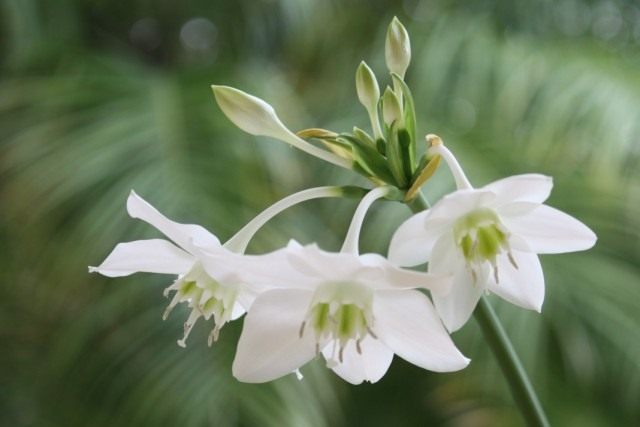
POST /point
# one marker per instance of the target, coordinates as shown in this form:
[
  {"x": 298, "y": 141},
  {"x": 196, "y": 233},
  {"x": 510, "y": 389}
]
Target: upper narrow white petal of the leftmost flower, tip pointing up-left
[{"x": 181, "y": 234}]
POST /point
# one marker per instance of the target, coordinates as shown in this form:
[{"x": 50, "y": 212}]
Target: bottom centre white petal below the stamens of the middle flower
[{"x": 370, "y": 365}]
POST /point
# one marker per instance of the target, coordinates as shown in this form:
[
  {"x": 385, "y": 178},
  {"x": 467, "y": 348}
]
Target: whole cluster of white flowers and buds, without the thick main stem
[{"x": 358, "y": 310}]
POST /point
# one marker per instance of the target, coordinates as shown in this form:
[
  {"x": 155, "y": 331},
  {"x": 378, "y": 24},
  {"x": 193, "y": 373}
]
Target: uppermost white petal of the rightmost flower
[{"x": 523, "y": 188}]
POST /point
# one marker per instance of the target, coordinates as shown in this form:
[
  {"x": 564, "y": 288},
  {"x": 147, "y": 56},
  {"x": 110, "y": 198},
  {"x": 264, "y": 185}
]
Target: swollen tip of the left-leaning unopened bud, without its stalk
[{"x": 249, "y": 113}]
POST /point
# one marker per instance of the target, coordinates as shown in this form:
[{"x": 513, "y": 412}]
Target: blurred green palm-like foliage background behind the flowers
[{"x": 98, "y": 97}]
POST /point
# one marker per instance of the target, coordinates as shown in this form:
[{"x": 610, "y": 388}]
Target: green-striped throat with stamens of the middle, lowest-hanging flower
[{"x": 340, "y": 313}]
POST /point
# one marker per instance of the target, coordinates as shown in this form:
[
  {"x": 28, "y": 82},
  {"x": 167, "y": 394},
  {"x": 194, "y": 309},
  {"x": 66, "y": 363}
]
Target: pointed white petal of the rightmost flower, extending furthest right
[{"x": 550, "y": 231}]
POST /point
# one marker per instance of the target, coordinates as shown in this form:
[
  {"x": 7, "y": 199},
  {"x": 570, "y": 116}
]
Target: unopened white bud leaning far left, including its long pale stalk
[{"x": 255, "y": 116}]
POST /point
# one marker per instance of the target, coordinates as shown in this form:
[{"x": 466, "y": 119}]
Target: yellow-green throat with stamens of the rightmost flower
[{"x": 481, "y": 237}]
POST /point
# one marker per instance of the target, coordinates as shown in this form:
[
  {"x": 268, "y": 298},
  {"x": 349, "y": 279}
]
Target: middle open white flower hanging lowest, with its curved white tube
[{"x": 357, "y": 310}]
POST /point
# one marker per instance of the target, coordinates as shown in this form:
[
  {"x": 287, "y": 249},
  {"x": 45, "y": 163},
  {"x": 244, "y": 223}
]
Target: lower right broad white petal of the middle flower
[{"x": 407, "y": 322}]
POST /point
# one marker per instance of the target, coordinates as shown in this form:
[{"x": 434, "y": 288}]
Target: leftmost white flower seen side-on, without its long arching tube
[{"x": 222, "y": 295}]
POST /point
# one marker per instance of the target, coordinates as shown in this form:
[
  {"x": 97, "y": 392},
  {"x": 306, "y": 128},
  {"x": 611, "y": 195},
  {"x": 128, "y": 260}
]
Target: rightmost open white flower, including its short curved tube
[{"x": 488, "y": 238}]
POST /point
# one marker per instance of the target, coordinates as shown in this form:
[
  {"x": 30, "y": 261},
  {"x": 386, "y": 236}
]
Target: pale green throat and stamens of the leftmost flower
[{"x": 206, "y": 297}]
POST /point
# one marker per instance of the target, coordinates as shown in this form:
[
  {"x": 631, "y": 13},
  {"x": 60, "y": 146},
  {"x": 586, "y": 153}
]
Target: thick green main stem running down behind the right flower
[{"x": 495, "y": 335}]
